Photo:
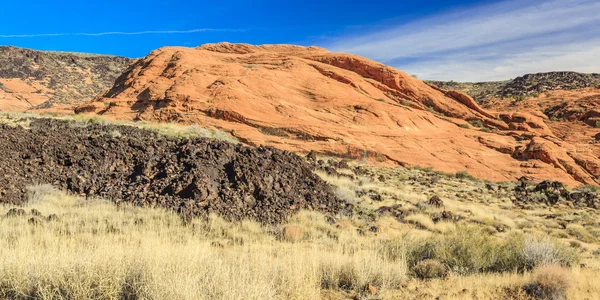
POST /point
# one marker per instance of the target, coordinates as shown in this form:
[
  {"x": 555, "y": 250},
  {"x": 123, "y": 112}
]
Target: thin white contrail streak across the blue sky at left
[{"x": 121, "y": 33}]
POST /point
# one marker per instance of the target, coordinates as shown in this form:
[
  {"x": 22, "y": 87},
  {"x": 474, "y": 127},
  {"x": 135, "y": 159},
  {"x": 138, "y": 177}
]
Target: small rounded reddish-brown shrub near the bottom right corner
[{"x": 550, "y": 282}]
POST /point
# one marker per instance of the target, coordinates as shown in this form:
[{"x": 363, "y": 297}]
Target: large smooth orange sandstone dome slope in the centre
[{"x": 301, "y": 99}]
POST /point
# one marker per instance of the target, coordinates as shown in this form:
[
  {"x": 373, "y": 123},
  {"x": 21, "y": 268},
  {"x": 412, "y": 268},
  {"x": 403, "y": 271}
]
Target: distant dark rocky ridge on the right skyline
[{"x": 527, "y": 85}]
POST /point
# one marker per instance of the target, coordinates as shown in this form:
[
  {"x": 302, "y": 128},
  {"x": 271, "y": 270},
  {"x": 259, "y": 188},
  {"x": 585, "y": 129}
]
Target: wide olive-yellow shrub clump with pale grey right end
[{"x": 471, "y": 249}]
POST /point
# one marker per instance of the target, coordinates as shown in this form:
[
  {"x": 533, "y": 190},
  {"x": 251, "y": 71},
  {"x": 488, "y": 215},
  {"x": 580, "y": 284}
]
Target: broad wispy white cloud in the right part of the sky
[{"x": 490, "y": 42}]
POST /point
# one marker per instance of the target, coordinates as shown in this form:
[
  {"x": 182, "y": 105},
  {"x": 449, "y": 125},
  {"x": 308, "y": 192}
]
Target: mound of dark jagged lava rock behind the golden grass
[{"x": 194, "y": 177}]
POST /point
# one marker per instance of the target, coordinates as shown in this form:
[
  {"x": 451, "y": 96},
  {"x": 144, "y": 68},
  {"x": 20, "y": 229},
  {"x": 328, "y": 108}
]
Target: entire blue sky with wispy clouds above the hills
[{"x": 451, "y": 39}]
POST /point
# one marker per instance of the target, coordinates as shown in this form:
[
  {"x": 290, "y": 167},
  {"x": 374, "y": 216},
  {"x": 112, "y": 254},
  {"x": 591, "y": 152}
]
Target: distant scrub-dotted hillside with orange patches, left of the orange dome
[{"x": 38, "y": 79}]
